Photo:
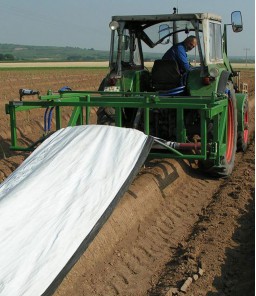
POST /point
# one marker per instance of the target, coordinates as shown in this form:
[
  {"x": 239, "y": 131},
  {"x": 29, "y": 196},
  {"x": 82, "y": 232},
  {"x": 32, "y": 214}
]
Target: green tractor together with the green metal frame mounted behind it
[{"x": 201, "y": 115}]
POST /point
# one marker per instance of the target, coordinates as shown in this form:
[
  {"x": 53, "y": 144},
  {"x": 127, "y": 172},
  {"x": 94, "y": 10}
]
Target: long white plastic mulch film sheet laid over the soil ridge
[{"x": 51, "y": 203}]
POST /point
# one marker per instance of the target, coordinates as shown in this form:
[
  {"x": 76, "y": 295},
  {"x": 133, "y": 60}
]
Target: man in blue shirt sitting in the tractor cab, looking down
[{"x": 178, "y": 52}]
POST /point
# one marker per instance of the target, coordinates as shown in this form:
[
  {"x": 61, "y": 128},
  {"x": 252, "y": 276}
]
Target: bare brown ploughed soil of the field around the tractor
[{"x": 175, "y": 231}]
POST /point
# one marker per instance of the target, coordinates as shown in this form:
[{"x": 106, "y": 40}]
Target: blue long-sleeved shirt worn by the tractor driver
[{"x": 178, "y": 53}]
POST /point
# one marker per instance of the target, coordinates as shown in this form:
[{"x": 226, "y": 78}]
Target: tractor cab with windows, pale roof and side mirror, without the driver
[{"x": 137, "y": 40}]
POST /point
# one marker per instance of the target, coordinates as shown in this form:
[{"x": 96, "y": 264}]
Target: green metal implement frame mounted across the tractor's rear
[{"x": 212, "y": 108}]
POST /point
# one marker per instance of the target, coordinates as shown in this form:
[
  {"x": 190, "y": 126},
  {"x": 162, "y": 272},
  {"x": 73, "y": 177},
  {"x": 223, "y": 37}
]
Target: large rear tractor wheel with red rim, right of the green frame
[{"x": 228, "y": 159}]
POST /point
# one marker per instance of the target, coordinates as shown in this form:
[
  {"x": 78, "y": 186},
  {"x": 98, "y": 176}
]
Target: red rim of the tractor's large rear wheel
[{"x": 230, "y": 133}]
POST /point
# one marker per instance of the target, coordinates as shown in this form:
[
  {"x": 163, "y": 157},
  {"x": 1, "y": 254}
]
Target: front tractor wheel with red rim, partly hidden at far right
[{"x": 243, "y": 135}]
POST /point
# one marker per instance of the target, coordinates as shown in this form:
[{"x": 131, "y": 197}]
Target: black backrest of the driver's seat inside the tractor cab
[{"x": 165, "y": 75}]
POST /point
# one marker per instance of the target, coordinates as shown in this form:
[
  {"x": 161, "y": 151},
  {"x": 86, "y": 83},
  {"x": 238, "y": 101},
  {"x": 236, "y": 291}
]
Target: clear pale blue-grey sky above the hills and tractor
[{"x": 84, "y": 23}]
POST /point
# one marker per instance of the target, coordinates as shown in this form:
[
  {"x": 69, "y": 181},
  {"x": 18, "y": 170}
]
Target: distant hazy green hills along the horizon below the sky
[{"x": 15, "y": 52}]
